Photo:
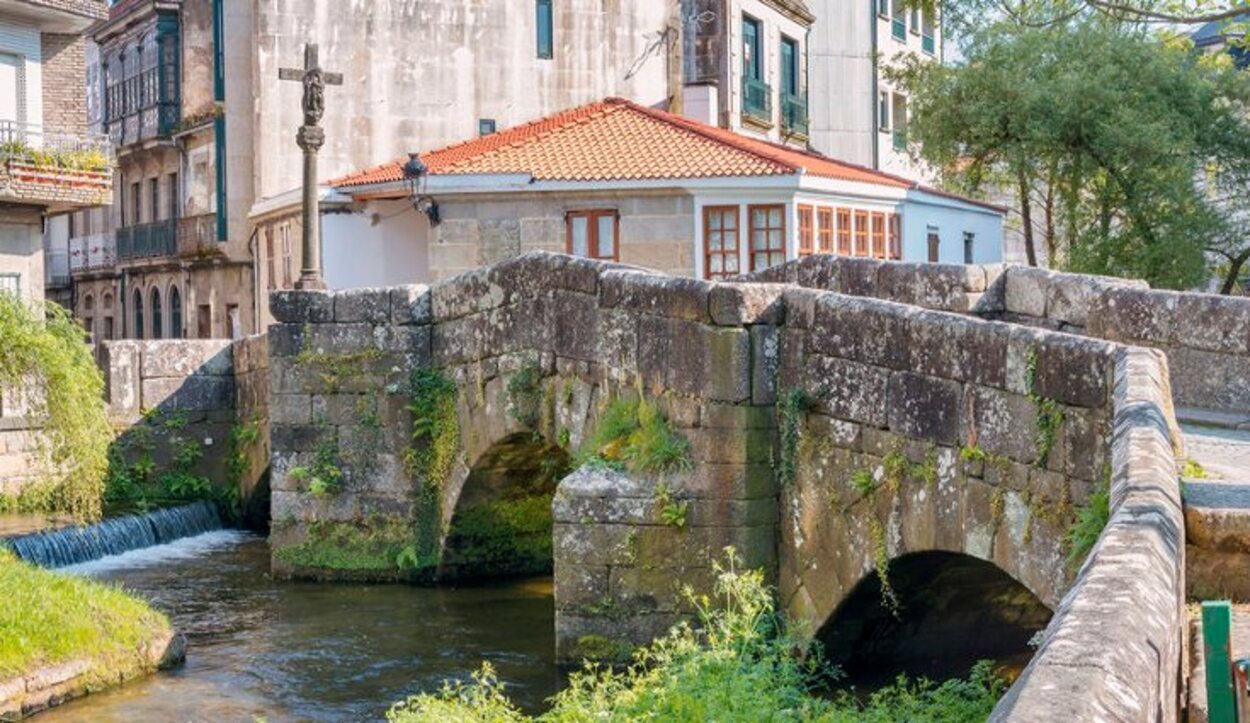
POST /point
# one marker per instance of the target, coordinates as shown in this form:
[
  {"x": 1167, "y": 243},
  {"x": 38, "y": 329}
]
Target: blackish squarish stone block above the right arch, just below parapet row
[{"x": 926, "y": 407}]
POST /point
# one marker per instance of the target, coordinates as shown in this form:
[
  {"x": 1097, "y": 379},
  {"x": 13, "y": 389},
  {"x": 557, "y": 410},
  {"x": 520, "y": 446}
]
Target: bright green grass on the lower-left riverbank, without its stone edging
[{"x": 49, "y": 619}]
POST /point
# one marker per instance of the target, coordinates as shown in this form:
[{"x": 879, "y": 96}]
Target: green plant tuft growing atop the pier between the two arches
[{"x": 637, "y": 436}]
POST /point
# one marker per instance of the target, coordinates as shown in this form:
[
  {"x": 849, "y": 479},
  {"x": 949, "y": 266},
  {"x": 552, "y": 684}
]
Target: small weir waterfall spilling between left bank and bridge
[{"x": 79, "y": 545}]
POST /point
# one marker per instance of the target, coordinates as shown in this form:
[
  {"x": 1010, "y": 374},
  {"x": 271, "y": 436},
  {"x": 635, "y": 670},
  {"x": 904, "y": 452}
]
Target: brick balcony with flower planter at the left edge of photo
[{"x": 58, "y": 172}]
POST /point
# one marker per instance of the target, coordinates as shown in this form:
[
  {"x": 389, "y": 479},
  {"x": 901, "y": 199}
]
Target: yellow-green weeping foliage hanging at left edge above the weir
[{"x": 44, "y": 351}]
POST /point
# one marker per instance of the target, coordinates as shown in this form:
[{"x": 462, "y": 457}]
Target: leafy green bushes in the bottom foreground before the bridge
[{"x": 742, "y": 664}]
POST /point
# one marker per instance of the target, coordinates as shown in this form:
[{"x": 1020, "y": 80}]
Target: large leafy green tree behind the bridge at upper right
[{"x": 1101, "y": 132}]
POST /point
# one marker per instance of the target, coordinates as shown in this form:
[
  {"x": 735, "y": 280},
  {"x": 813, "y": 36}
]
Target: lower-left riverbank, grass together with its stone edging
[{"x": 64, "y": 637}]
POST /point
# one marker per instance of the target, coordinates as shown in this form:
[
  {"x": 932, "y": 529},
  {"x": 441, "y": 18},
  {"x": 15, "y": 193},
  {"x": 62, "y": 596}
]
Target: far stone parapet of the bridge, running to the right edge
[{"x": 1209, "y": 353}]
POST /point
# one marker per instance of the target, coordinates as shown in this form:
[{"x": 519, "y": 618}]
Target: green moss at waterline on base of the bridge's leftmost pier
[{"x": 379, "y": 545}]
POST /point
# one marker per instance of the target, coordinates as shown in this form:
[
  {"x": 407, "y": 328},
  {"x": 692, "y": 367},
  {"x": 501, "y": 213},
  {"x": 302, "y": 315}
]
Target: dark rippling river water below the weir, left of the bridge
[{"x": 281, "y": 651}]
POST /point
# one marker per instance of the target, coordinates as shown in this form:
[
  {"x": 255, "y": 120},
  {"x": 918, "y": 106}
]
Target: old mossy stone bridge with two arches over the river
[{"x": 901, "y": 451}]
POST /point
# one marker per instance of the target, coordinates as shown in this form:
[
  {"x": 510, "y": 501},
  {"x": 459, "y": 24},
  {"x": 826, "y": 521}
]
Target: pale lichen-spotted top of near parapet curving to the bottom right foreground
[{"x": 1114, "y": 649}]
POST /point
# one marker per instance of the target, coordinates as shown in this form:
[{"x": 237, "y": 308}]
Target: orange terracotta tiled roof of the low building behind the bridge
[{"x": 622, "y": 141}]
